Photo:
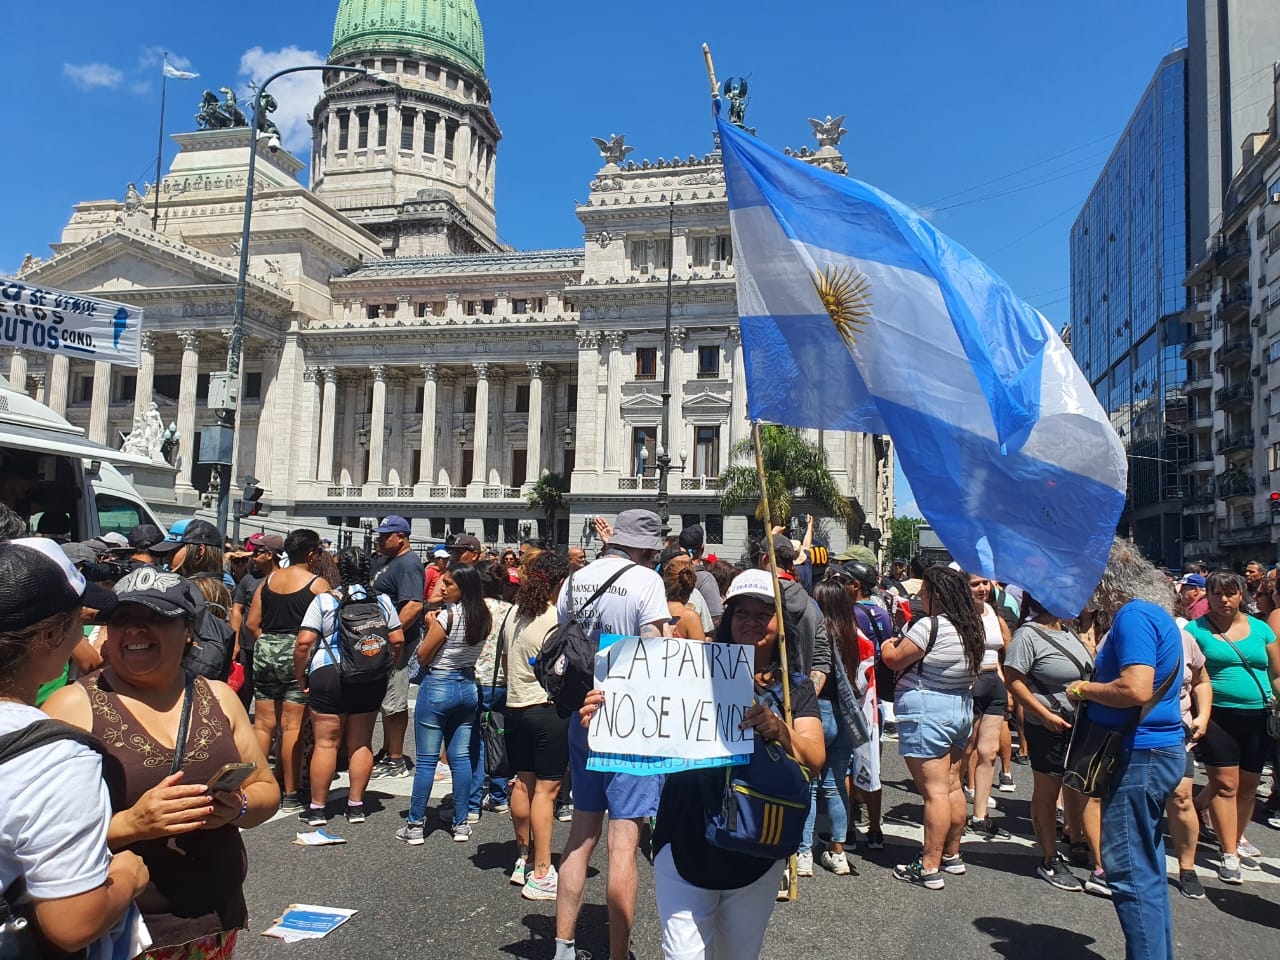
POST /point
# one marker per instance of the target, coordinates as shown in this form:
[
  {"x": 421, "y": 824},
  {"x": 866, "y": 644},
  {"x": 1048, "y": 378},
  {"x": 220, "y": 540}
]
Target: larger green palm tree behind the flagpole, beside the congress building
[{"x": 794, "y": 469}]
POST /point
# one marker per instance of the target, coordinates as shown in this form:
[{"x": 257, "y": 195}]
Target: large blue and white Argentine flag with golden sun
[{"x": 858, "y": 316}]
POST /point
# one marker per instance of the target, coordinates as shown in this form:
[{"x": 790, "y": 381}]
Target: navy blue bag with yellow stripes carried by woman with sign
[{"x": 765, "y": 806}]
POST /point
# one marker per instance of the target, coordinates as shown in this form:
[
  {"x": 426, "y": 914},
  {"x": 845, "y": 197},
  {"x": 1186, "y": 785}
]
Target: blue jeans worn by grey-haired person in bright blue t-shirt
[{"x": 1133, "y": 849}]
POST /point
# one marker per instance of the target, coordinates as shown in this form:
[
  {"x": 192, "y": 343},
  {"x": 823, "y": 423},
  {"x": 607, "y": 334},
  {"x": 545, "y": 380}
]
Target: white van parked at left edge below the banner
[{"x": 63, "y": 484}]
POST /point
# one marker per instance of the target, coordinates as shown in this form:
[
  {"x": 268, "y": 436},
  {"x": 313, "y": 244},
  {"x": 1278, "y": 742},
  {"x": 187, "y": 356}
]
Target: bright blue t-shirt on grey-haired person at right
[{"x": 1144, "y": 634}]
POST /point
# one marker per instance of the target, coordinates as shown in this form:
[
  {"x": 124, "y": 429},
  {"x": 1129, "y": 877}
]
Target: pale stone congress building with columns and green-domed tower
[{"x": 399, "y": 358}]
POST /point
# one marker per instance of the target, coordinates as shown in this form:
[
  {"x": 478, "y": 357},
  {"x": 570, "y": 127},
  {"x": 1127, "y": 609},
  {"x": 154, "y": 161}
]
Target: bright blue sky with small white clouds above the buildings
[{"x": 993, "y": 120}]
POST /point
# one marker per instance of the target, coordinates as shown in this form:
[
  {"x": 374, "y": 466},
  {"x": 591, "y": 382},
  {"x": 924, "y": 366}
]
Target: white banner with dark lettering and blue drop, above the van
[{"x": 79, "y": 326}]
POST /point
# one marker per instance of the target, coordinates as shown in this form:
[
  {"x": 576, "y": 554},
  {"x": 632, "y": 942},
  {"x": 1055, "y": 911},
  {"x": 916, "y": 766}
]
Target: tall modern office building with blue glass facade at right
[{"x": 1130, "y": 255}]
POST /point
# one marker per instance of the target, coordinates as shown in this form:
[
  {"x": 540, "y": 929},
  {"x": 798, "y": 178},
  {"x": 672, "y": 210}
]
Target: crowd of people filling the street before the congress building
[{"x": 152, "y": 652}]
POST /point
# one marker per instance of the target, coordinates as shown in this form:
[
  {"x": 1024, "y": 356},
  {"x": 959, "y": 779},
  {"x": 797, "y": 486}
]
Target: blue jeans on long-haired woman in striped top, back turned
[{"x": 446, "y": 714}]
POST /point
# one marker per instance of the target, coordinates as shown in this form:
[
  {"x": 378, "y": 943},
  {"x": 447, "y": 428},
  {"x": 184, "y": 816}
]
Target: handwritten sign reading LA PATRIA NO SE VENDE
[{"x": 673, "y": 698}]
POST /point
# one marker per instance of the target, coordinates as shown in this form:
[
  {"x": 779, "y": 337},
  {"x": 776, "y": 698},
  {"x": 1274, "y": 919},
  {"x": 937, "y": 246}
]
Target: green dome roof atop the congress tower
[{"x": 449, "y": 30}]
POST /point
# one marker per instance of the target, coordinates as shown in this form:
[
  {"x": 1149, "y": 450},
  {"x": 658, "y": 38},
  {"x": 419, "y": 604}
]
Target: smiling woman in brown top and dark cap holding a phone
[{"x": 136, "y": 706}]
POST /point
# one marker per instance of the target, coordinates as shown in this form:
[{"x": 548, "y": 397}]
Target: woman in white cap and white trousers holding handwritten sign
[{"x": 714, "y": 899}]
